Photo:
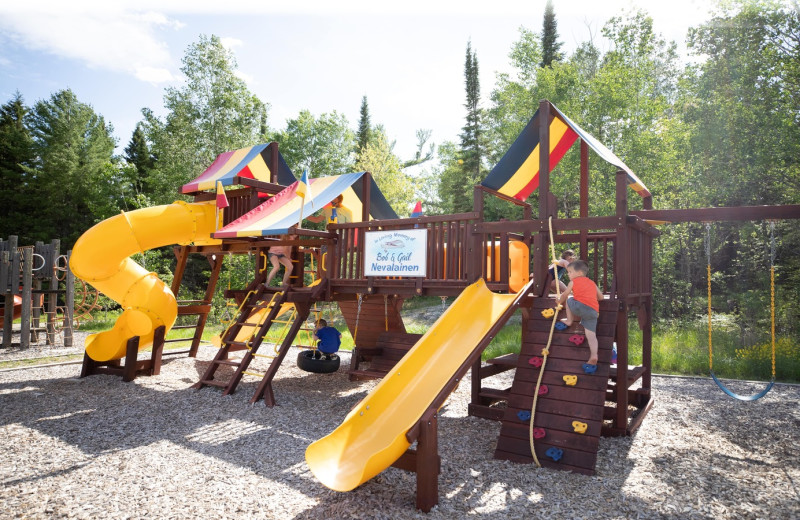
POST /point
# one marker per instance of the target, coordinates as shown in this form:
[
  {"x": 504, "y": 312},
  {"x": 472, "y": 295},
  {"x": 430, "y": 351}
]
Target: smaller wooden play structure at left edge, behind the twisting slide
[{"x": 32, "y": 279}]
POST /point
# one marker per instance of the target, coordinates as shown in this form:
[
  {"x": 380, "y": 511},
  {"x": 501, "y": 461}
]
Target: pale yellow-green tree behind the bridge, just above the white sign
[{"x": 378, "y": 159}]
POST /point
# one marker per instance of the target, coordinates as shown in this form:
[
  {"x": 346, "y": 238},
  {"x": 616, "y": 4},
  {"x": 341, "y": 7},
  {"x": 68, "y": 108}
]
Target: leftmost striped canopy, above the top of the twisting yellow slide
[{"x": 251, "y": 162}]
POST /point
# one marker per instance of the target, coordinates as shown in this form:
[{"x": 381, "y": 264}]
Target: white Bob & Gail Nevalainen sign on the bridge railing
[{"x": 396, "y": 253}]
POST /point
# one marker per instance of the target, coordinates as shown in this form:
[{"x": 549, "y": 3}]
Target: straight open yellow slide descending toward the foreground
[{"x": 373, "y": 435}]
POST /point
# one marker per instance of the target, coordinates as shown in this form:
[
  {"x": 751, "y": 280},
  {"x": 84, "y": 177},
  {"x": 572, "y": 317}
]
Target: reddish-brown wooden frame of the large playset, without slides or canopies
[{"x": 618, "y": 247}]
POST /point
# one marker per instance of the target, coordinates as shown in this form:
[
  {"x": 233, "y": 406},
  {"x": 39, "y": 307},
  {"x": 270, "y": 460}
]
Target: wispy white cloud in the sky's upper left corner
[{"x": 108, "y": 37}]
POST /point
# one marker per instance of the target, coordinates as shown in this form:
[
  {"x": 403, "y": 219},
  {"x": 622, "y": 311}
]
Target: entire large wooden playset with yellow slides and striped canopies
[{"x": 466, "y": 256}]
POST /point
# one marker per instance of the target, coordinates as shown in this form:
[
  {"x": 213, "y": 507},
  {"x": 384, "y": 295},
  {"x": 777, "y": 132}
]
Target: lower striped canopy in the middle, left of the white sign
[{"x": 279, "y": 213}]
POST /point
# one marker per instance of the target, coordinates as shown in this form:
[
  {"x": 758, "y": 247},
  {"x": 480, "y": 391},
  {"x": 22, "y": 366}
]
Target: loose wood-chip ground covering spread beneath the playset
[{"x": 155, "y": 448}]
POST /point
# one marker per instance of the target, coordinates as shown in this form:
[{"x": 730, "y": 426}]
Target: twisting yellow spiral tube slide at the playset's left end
[{"x": 101, "y": 256}]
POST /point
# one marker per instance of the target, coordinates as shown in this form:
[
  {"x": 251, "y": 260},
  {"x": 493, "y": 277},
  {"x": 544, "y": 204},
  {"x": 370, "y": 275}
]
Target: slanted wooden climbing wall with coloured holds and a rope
[{"x": 568, "y": 417}]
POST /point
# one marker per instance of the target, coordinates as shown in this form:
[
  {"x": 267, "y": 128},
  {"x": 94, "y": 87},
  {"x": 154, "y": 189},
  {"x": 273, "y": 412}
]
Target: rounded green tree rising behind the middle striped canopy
[{"x": 323, "y": 145}]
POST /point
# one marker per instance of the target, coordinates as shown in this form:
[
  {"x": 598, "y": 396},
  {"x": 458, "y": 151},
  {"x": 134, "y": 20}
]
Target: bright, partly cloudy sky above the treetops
[{"x": 406, "y": 57}]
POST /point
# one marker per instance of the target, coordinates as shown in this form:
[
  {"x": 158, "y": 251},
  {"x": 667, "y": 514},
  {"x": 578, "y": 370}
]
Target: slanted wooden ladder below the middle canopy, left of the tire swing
[{"x": 254, "y": 301}]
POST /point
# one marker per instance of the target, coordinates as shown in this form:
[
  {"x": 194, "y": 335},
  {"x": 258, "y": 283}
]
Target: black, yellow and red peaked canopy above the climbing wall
[{"x": 517, "y": 172}]
